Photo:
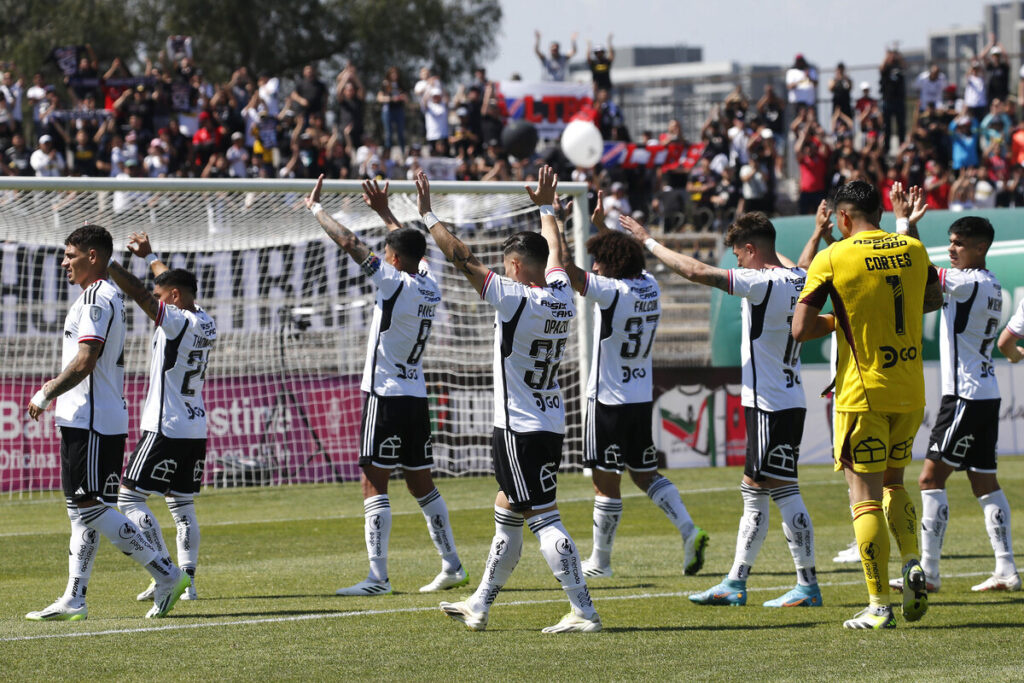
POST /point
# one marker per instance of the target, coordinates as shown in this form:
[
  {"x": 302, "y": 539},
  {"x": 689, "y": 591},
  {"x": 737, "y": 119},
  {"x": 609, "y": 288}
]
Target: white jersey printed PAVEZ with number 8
[{"x": 404, "y": 312}]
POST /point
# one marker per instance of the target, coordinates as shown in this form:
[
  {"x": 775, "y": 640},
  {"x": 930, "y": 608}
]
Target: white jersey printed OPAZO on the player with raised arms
[{"x": 532, "y": 329}]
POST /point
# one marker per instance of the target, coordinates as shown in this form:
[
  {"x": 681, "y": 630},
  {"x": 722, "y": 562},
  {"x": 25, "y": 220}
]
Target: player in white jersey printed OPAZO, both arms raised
[{"x": 534, "y": 308}]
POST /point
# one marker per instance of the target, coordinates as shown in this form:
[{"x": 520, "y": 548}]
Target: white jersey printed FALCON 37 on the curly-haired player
[{"x": 626, "y": 315}]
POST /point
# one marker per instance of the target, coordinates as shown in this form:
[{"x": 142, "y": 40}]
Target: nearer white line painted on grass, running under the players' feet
[{"x": 404, "y": 611}]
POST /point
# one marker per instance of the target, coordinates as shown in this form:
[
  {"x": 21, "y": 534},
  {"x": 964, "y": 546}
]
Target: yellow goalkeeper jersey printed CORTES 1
[{"x": 877, "y": 283}]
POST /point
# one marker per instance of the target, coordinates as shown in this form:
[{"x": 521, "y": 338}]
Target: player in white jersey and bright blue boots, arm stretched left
[{"x": 773, "y": 397}]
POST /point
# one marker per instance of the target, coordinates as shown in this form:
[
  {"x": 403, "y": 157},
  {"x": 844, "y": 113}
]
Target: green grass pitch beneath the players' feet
[{"x": 272, "y": 560}]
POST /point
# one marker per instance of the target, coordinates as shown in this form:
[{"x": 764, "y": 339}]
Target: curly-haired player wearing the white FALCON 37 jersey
[{"x": 618, "y": 431}]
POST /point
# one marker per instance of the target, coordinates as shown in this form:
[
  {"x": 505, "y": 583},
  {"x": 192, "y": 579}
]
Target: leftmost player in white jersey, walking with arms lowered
[{"x": 94, "y": 420}]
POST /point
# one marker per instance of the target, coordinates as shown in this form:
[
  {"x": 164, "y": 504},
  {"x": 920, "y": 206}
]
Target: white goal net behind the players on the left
[{"x": 293, "y": 313}]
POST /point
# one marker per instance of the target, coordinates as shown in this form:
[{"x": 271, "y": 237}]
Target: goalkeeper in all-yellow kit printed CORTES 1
[{"x": 881, "y": 284}]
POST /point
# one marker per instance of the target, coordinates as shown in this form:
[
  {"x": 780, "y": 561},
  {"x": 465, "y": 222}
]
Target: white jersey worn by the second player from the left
[{"x": 178, "y": 371}]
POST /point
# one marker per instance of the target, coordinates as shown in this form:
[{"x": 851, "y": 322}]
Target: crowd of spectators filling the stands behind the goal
[{"x": 964, "y": 145}]
